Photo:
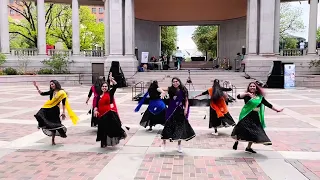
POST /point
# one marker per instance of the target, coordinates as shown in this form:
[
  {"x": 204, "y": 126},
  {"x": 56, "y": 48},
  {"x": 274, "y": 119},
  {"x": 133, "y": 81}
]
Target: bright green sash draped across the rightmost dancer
[{"x": 251, "y": 105}]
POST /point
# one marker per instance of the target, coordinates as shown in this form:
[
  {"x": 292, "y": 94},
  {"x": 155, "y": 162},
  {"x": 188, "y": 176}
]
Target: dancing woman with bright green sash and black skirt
[{"x": 250, "y": 127}]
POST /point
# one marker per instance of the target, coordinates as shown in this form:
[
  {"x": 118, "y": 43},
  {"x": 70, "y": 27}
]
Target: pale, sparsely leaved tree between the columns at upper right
[{"x": 290, "y": 20}]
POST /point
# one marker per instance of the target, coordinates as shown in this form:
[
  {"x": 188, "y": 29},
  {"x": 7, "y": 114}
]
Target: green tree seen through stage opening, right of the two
[{"x": 205, "y": 38}]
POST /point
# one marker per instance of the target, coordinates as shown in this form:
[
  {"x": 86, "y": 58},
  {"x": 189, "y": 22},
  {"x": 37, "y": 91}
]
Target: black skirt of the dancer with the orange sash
[{"x": 225, "y": 121}]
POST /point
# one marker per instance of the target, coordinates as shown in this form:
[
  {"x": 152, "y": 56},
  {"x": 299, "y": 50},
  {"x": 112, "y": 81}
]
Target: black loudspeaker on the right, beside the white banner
[{"x": 276, "y": 79}]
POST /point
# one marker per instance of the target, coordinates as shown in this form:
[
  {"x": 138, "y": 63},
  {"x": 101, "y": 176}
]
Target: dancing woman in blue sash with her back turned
[{"x": 156, "y": 112}]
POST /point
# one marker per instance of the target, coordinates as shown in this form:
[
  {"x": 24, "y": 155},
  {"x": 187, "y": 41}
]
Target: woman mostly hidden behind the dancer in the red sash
[{"x": 96, "y": 90}]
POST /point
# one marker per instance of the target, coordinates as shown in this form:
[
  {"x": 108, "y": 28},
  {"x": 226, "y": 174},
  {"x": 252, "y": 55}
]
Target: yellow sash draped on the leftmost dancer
[{"x": 57, "y": 98}]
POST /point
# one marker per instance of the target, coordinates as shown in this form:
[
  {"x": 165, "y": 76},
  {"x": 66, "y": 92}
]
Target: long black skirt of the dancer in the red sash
[{"x": 110, "y": 131}]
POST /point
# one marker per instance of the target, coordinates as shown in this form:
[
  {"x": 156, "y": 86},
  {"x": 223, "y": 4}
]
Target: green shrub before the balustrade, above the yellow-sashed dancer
[{"x": 58, "y": 63}]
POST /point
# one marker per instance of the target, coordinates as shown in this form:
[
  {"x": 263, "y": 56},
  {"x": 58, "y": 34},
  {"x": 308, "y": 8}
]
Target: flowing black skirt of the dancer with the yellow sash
[{"x": 49, "y": 121}]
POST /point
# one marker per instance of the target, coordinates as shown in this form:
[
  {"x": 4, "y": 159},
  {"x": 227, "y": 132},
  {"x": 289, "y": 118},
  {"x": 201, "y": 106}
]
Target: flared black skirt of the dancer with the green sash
[{"x": 250, "y": 129}]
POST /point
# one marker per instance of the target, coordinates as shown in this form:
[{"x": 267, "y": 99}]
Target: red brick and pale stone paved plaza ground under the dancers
[{"x": 25, "y": 153}]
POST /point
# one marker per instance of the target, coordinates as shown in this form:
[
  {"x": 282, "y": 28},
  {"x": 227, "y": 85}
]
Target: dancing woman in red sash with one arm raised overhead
[{"x": 110, "y": 131}]
